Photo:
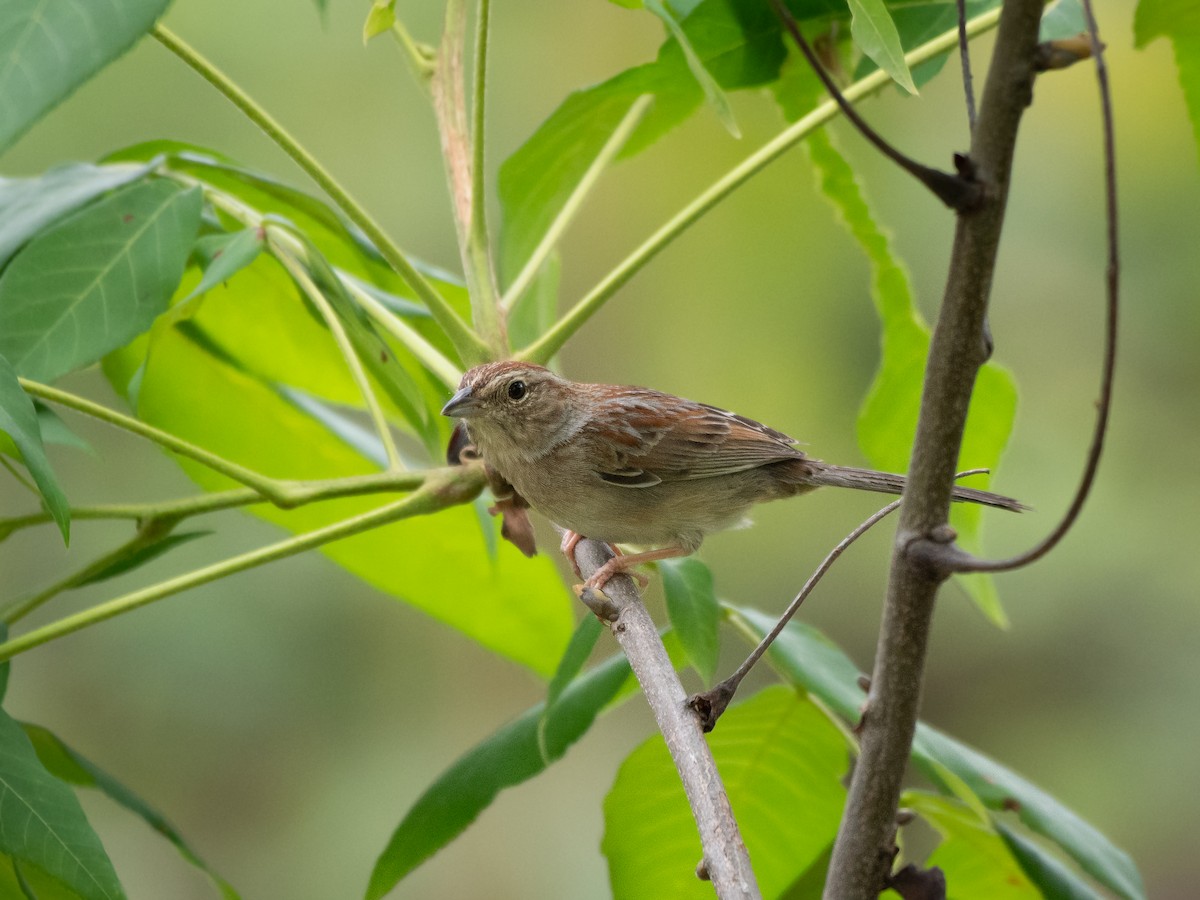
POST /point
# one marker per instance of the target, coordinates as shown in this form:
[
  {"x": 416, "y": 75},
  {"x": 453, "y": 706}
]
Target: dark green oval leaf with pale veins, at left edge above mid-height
[{"x": 95, "y": 280}]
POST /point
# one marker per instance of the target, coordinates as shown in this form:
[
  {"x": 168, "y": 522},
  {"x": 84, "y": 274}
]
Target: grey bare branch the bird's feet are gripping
[{"x": 727, "y": 862}]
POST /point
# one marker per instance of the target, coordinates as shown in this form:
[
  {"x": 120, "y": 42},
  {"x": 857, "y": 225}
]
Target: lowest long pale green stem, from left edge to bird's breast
[{"x": 443, "y": 489}]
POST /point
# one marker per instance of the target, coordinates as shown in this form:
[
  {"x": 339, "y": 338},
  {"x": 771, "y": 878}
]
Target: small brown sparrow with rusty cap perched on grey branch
[{"x": 627, "y": 465}]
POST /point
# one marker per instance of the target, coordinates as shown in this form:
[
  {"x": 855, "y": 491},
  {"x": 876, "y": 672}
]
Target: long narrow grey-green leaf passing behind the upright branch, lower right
[{"x": 812, "y": 662}]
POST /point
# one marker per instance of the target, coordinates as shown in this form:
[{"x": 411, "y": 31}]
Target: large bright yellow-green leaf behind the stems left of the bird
[{"x": 219, "y": 383}]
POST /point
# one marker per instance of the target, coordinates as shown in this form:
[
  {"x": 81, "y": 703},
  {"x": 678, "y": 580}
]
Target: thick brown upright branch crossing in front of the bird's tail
[{"x": 863, "y": 853}]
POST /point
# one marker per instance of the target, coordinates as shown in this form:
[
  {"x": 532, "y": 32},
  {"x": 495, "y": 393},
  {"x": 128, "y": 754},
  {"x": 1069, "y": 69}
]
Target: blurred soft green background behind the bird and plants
[{"x": 285, "y": 719}]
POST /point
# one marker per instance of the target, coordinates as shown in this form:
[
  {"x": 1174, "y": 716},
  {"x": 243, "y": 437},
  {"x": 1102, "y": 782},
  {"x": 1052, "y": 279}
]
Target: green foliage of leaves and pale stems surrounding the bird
[{"x": 295, "y": 362}]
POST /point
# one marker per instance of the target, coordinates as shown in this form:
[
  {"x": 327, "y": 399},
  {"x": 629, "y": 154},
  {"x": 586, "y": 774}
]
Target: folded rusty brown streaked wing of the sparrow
[{"x": 652, "y": 437}]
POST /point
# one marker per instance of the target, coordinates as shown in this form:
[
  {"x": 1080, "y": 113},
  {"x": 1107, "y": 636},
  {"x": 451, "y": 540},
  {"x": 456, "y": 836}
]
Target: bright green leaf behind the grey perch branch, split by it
[{"x": 776, "y": 752}]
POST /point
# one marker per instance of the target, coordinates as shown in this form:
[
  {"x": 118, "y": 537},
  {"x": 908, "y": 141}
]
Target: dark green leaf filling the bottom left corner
[{"x": 41, "y": 821}]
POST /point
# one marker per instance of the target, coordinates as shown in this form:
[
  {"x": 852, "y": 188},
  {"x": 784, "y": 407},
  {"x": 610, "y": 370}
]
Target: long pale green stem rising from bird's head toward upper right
[{"x": 551, "y": 343}]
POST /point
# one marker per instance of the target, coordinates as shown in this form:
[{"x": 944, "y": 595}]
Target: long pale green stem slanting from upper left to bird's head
[{"x": 467, "y": 343}]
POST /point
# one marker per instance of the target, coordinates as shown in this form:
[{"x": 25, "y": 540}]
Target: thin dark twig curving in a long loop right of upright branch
[{"x": 955, "y": 559}]
